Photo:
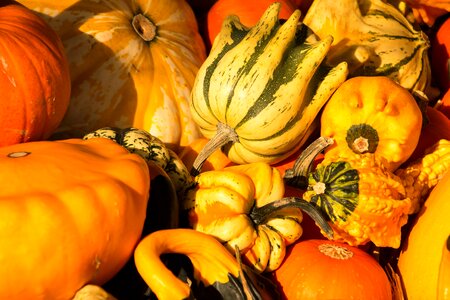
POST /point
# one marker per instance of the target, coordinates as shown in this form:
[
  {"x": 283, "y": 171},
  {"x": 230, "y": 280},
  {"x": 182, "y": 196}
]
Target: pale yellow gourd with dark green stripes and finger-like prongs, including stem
[{"x": 260, "y": 89}]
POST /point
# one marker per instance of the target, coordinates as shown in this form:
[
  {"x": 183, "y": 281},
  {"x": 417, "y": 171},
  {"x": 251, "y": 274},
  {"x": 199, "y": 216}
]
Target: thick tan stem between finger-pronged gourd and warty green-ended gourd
[{"x": 298, "y": 175}]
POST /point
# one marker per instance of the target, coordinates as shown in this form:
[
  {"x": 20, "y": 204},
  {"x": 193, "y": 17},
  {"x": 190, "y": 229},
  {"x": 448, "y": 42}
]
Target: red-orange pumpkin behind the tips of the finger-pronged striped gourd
[{"x": 249, "y": 13}]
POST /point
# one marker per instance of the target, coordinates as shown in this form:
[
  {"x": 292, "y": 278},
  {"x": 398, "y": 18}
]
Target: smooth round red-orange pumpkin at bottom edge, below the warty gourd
[{"x": 308, "y": 273}]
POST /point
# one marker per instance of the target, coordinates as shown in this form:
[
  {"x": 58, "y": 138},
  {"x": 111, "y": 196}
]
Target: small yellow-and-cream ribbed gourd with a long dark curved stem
[{"x": 243, "y": 206}]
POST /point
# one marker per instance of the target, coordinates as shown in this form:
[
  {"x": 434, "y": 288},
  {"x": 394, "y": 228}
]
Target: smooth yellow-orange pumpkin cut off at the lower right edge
[{"x": 421, "y": 254}]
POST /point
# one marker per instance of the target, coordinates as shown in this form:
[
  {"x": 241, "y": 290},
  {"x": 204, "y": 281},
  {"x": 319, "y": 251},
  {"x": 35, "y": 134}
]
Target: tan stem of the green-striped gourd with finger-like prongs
[{"x": 224, "y": 135}]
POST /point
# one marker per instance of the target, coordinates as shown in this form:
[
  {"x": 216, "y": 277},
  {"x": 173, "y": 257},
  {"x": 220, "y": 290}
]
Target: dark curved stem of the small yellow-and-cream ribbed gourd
[{"x": 260, "y": 214}]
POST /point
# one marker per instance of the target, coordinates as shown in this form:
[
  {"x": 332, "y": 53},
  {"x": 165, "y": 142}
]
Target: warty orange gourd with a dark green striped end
[{"x": 363, "y": 200}]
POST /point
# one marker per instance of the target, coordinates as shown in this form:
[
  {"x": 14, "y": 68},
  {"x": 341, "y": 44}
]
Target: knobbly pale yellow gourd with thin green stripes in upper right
[{"x": 374, "y": 38}]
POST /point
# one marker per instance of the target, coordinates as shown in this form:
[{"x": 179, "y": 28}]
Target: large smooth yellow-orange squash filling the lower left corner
[{"x": 71, "y": 213}]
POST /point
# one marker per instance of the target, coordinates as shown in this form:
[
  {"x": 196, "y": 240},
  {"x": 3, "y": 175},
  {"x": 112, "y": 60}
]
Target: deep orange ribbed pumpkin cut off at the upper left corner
[{"x": 34, "y": 76}]
